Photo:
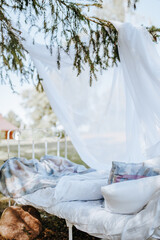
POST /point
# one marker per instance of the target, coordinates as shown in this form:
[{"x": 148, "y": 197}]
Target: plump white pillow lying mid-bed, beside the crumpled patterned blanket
[{"x": 80, "y": 187}]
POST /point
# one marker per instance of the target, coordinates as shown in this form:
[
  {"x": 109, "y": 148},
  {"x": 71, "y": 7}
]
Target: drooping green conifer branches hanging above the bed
[{"x": 62, "y": 23}]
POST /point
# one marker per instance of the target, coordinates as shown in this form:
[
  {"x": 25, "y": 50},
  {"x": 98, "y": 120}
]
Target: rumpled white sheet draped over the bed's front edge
[{"x": 91, "y": 216}]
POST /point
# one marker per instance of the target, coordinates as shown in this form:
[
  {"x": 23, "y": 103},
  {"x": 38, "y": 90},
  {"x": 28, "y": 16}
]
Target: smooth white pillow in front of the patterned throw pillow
[{"x": 130, "y": 196}]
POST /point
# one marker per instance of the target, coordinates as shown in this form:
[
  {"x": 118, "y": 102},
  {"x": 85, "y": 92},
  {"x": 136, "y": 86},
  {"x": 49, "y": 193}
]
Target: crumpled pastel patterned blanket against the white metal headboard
[{"x": 19, "y": 176}]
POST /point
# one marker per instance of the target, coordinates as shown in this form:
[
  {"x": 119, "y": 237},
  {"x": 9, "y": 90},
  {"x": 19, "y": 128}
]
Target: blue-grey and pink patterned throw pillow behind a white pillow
[{"x": 122, "y": 171}]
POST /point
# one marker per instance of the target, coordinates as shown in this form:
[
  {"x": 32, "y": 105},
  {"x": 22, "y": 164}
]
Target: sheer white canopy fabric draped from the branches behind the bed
[{"x": 118, "y": 117}]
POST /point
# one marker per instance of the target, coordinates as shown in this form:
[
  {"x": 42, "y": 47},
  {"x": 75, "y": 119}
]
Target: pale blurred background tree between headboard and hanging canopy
[{"x": 39, "y": 109}]
